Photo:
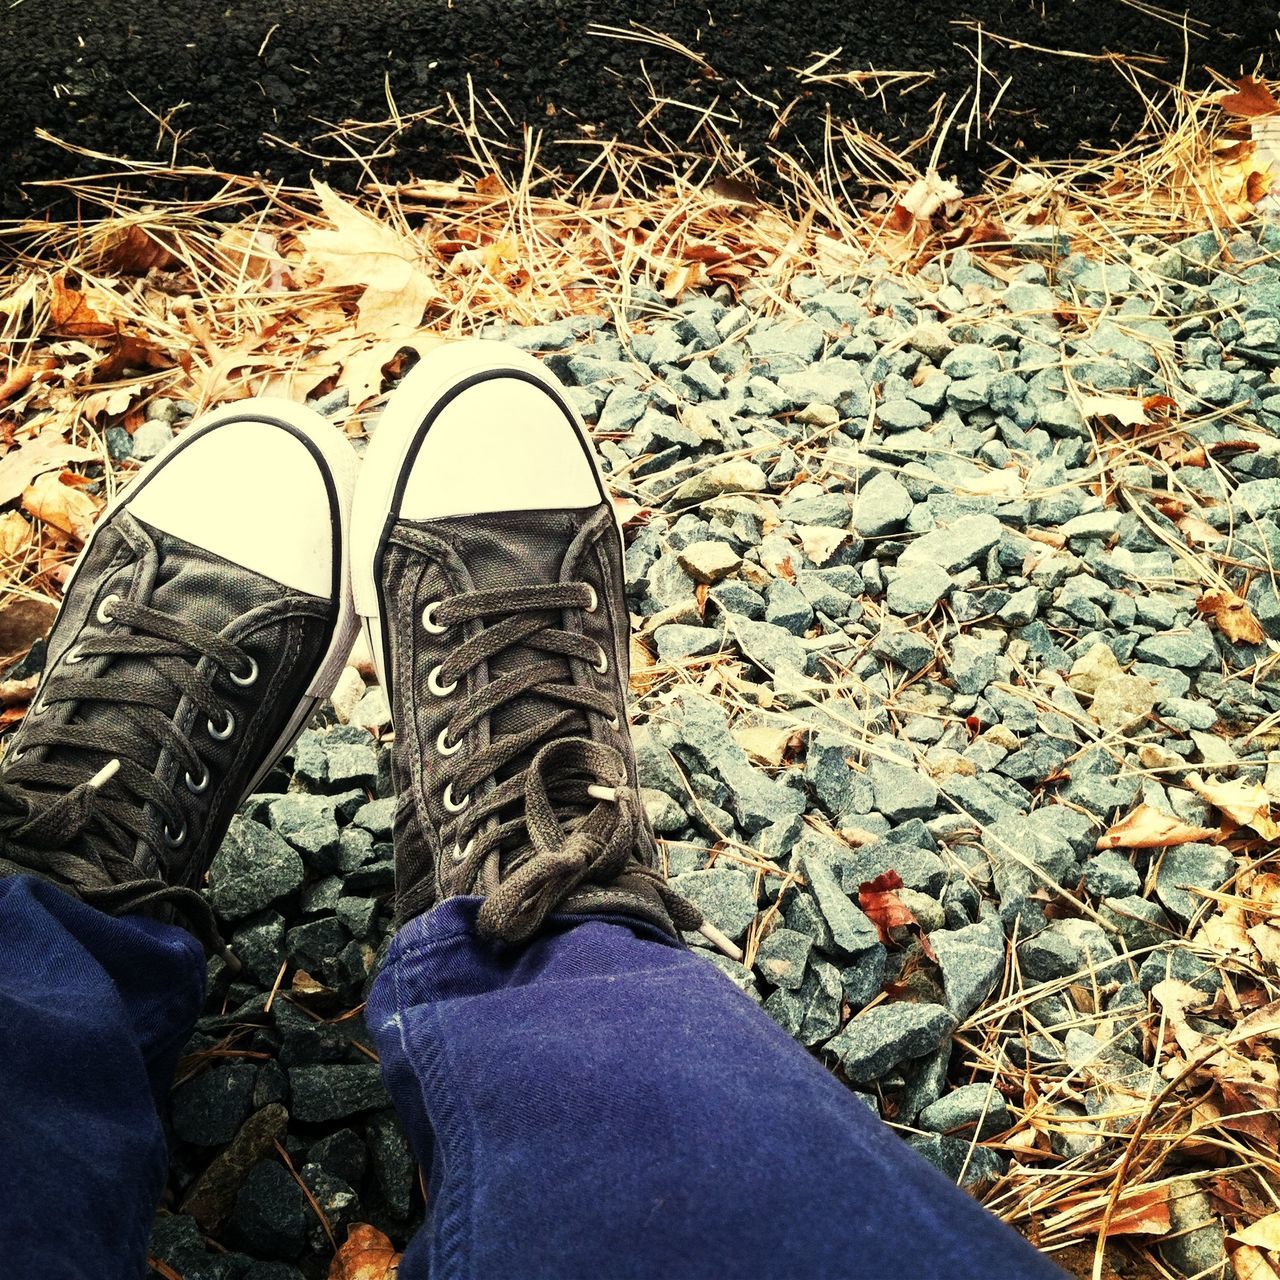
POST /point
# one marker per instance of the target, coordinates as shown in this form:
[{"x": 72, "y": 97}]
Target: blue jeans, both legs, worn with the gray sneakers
[{"x": 600, "y": 1104}]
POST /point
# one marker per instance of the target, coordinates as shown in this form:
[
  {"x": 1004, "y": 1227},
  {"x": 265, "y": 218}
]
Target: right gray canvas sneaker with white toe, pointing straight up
[{"x": 487, "y": 568}]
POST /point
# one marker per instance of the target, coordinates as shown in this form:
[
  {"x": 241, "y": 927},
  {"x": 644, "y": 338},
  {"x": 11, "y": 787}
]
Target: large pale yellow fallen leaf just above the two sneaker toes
[{"x": 359, "y": 252}]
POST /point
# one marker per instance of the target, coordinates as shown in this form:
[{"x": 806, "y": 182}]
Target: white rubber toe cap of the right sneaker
[{"x": 501, "y": 445}]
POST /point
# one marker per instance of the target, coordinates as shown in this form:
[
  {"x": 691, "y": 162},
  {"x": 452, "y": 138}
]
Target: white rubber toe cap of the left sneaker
[{"x": 254, "y": 493}]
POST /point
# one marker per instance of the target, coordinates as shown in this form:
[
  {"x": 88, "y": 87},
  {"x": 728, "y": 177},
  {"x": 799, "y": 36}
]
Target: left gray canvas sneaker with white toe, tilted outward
[{"x": 208, "y": 615}]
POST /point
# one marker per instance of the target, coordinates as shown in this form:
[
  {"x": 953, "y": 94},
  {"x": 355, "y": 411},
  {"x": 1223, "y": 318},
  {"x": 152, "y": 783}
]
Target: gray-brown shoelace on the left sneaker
[{"x": 83, "y": 831}]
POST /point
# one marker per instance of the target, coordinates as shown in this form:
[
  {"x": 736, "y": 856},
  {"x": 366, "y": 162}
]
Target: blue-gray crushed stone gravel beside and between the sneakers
[{"x": 876, "y": 542}]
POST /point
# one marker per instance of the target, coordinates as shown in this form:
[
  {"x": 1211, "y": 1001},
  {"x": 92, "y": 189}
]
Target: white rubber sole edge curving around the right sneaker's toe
[{"x": 401, "y": 429}]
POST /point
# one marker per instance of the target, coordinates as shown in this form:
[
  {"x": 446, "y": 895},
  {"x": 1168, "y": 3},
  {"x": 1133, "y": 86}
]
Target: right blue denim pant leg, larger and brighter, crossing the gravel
[{"x": 602, "y": 1105}]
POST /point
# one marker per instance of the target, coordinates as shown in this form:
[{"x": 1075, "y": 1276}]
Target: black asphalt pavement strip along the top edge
[{"x": 255, "y": 88}]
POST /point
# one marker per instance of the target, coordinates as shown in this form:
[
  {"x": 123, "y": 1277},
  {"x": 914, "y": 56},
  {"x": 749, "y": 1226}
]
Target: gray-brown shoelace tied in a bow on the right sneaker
[{"x": 575, "y": 813}]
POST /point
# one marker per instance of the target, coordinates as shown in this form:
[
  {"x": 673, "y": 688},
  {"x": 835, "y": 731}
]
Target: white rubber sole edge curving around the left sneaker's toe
[{"x": 340, "y": 465}]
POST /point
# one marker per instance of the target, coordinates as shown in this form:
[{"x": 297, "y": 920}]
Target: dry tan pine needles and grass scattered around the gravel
[{"x": 230, "y": 298}]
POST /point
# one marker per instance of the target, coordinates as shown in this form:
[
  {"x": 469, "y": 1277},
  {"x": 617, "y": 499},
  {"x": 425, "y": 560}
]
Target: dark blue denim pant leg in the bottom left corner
[{"x": 94, "y": 1013}]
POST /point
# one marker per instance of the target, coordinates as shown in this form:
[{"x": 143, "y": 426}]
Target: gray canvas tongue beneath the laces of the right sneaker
[{"x": 509, "y": 551}]
